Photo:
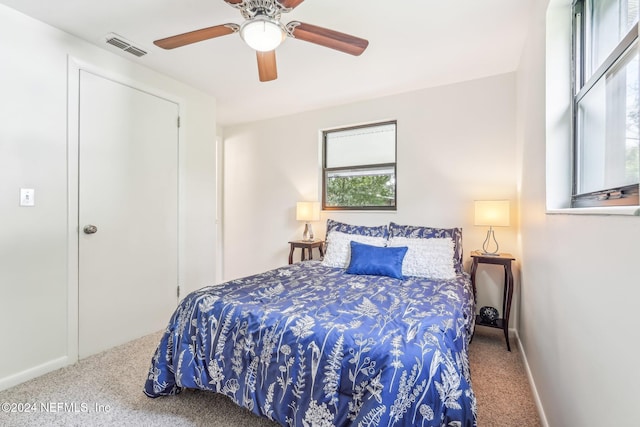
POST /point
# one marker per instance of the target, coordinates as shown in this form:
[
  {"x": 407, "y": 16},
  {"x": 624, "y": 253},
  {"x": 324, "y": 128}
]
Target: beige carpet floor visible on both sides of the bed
[{"x": 106, "y": 390}]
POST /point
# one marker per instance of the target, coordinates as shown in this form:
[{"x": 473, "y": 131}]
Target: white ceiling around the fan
[{"x": 413, "y": 44}]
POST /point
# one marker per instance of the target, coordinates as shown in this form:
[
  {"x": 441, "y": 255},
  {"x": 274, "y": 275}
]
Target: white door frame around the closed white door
[{"x": 74, "y": 67}]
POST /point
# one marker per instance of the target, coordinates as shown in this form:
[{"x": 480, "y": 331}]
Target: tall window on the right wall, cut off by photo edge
[{"x": 605, "y": 105}]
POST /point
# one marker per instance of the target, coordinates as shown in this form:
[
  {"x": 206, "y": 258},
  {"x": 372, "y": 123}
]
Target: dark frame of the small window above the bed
[{"x": 326, "y": 170}]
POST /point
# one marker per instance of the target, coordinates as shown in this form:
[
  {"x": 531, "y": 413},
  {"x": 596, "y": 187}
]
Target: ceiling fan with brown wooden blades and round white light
[{"x": 263, "y": 31}]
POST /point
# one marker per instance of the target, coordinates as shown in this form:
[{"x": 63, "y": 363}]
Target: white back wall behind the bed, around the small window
[{"x": 456, "y": 144}]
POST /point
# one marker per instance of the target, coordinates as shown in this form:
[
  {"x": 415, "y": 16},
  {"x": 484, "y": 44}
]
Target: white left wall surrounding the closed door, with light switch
[{"x": 33, "y": 154}]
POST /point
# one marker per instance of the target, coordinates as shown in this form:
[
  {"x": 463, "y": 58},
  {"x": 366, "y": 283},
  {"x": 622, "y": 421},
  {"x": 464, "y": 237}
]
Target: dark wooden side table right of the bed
[{"x": 504, "y": 260}]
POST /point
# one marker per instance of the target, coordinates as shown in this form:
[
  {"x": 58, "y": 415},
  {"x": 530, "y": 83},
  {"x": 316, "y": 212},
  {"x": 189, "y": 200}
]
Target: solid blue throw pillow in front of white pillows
[{"x": 376, "y": 260}]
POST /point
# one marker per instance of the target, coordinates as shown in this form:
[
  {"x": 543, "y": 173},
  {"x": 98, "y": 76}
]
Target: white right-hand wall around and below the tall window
[{"x": 578, "y": 320}]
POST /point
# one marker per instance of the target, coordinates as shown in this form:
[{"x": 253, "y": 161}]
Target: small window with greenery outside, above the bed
[{"x": 359, "y": 167}]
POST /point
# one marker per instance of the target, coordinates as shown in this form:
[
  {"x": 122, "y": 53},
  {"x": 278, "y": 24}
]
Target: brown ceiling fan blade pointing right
[{"x": 328, "y": 38}]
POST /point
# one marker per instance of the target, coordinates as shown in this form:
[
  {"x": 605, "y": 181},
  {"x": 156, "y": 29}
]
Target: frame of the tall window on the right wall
[{"x": 626, "y": 195}]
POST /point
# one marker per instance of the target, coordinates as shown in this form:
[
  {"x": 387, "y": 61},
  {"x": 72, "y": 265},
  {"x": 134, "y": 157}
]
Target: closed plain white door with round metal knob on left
[{"x": 128, "y": 191}]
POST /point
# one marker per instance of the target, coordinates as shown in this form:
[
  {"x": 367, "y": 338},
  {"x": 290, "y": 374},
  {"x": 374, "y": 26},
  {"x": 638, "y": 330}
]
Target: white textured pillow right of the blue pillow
[{"x": 432, "y": 258}]
